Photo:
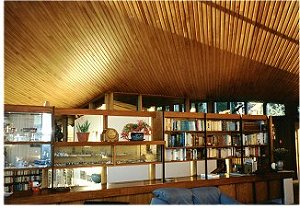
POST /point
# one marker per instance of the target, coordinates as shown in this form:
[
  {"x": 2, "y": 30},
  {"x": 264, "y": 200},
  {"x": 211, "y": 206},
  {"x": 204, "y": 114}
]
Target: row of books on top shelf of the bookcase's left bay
[{"x": 184, "y": 125}]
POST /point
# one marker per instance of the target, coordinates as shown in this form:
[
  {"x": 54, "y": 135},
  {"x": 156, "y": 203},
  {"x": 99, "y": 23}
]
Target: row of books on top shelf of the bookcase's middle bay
[{"x": 212, "y": 125}]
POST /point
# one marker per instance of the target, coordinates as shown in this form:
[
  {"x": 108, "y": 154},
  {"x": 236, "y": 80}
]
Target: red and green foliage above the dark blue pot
[{"x": 140, "y": 126}]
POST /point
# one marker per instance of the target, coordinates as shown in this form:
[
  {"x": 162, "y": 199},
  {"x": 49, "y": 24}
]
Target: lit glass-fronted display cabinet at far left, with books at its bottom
[{"x": 27, "y": 147}]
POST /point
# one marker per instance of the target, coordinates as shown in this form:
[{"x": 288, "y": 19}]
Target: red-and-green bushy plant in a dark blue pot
[{"x": 136, "y": 131}]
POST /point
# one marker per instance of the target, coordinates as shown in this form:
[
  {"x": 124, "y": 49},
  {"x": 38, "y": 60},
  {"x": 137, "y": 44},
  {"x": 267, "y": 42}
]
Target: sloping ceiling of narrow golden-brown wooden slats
[{"x": 71, "y": 52}]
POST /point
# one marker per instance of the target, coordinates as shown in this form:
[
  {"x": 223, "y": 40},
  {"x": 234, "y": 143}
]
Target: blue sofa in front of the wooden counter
[{"x": 202, "y": 195}]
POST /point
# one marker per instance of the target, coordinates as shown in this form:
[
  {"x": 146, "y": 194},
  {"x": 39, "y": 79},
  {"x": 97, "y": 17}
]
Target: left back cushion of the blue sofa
[{"x": 174, "y": 195}]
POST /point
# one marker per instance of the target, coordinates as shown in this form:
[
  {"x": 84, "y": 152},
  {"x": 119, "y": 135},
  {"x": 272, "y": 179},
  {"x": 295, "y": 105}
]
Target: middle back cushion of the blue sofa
[{"x": 206, "y": 195}]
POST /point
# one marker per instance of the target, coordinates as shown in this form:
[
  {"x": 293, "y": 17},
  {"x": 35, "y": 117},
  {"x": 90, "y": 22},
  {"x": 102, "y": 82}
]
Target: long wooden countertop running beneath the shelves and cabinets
[{"x": 49, "y": 196}]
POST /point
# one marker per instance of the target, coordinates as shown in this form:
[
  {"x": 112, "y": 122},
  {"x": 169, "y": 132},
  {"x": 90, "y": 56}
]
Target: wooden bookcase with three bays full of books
[{"x": 215, "y": 143}]
